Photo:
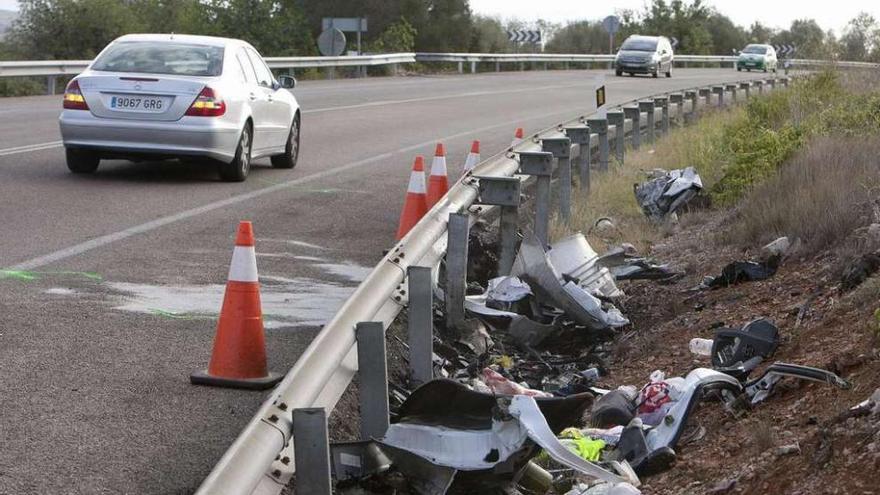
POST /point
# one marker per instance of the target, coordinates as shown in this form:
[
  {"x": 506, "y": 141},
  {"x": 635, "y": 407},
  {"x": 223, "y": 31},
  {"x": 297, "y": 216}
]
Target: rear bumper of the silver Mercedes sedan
[{"x": 189, "y": 136}]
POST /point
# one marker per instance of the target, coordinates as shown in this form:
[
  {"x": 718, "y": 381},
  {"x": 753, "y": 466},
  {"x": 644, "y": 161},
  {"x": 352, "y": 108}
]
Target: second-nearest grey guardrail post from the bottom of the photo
[{"x": 372, "y": 379}]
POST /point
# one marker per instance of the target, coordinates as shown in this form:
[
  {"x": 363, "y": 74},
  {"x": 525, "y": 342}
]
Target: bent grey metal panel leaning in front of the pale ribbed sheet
[{"x": 533, "y": 266}]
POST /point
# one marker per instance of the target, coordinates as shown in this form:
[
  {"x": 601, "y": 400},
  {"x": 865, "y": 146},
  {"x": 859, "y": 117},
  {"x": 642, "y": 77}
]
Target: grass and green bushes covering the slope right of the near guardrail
[{"x": 800, "y": 162}]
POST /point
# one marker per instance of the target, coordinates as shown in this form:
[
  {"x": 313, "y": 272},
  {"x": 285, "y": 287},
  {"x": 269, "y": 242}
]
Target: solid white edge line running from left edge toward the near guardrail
[{"x": 104, "y": 240}]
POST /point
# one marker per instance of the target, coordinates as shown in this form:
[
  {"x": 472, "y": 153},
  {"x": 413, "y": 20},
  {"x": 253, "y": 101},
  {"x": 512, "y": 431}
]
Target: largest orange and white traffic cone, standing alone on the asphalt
[{"x": 239, "y": 356}]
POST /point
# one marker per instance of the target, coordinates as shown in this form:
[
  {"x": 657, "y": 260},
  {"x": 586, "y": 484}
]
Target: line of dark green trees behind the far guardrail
[{"x": 79, "y": 29}]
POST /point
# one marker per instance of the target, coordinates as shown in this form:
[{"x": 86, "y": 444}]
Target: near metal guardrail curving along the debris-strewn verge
[{"x": 260, "y": 460}]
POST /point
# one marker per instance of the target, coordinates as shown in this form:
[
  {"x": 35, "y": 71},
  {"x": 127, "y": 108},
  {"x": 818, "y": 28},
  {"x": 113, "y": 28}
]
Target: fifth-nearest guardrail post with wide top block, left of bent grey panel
[{"x": 505, "y": 193}]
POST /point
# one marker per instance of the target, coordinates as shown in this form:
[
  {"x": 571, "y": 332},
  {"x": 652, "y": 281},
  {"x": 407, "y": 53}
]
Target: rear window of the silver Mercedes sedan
[{"x": 161, "y": 57}]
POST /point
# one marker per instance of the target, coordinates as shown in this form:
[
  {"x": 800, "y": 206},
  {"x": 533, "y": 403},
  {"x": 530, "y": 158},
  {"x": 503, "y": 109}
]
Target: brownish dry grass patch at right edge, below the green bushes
[{"x": 820, "y": 197}]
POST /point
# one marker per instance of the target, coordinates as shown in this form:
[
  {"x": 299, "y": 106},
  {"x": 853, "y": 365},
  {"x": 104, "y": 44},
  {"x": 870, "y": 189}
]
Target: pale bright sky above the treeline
[{"x": 774, "y": 13}]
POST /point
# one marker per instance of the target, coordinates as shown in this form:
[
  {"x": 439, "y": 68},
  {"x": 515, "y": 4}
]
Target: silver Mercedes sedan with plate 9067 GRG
[{"x": 165, "y": 96}]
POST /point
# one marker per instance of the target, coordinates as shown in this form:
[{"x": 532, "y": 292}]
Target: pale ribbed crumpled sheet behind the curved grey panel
[{"x": 573, "y": 256}]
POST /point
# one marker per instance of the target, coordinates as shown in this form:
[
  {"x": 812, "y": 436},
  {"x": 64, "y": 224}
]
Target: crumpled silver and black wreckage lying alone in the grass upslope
[{"x": 665, "y": 194}]
